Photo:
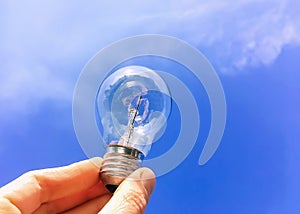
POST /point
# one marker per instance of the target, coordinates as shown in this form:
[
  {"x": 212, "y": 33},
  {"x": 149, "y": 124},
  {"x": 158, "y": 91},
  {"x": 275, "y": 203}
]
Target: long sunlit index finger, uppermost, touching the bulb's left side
[{"x": 32, "y": 189}]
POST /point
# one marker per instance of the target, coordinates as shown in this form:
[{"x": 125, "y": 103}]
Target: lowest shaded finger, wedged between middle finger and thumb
[{"x": 92, "y": 206}]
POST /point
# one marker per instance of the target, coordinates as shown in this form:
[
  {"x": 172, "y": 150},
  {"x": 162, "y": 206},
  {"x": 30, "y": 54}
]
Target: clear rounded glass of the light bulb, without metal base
[{"x": 132, "y": 105}]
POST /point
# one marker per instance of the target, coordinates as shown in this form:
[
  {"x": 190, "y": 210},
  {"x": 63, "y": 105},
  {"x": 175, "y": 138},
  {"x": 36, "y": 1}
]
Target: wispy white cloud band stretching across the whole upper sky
[{"x": 45, "y": 44}]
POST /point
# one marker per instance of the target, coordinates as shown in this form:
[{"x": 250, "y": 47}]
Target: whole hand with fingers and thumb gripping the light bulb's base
[{"x": 76, "y": 189}]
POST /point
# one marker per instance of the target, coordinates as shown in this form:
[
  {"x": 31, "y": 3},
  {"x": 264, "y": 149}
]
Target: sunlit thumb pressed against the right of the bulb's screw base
[{"x": 133, "y": 194}]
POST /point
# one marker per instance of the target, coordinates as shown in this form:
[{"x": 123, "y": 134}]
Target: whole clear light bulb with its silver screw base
[{"x": 132, "y": 106}]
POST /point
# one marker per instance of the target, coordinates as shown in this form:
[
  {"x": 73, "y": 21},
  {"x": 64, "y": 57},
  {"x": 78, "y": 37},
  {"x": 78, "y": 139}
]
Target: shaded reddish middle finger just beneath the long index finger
[{"x": 68, "y": 202}]
